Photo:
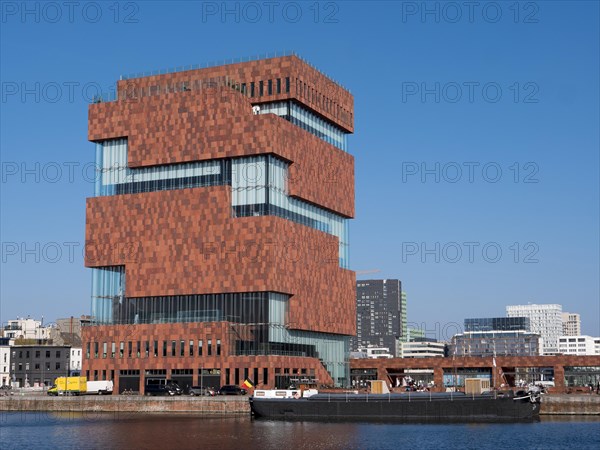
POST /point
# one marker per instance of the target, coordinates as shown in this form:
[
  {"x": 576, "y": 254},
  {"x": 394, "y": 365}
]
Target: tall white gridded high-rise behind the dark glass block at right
[{"x": 545, "y": 320}]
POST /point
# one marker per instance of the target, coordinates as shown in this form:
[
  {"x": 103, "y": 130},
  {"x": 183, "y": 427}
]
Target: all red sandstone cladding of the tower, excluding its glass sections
[{"x": 187, "y": 242}]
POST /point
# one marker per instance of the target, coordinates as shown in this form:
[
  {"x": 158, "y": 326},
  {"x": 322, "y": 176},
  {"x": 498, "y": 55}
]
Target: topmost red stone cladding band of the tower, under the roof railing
[{"x": 307, "y": 85}]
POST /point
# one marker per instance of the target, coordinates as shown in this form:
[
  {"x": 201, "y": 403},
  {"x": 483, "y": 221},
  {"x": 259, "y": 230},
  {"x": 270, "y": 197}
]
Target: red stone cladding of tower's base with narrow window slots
[{"x": 186, "y": 332}]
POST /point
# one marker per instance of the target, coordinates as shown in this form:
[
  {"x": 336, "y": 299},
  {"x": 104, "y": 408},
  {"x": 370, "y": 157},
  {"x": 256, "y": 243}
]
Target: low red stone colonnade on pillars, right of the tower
[{"x": 503, "y": 364}]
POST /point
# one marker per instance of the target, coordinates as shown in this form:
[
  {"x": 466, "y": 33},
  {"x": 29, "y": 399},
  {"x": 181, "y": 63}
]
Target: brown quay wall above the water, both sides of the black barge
[{"x": 565, "y": 404}]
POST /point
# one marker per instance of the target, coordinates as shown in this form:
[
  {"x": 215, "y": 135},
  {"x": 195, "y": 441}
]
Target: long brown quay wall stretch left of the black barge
[{"x": 129, "y": 404}]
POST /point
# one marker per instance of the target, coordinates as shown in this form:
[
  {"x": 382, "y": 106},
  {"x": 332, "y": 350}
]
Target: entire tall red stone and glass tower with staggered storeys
[{"x": 218, "y": 234}]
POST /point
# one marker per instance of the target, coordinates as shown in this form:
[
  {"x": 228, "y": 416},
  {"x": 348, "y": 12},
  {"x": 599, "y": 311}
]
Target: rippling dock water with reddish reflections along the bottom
[{"x": 131, "y": 430}]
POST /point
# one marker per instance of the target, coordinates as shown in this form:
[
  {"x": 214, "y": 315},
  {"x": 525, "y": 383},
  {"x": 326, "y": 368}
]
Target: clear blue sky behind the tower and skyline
[{"x": 476, "y": 142}]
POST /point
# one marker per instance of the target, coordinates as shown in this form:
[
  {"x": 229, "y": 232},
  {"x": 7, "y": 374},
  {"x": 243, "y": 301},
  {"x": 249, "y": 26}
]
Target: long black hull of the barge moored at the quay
[{"x": 398, "y": 408}]
